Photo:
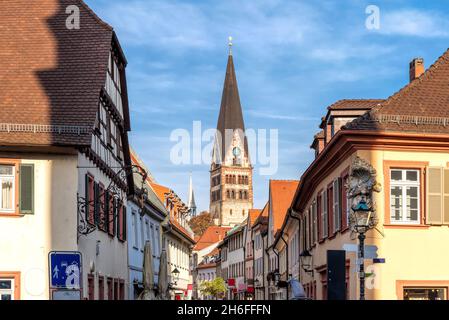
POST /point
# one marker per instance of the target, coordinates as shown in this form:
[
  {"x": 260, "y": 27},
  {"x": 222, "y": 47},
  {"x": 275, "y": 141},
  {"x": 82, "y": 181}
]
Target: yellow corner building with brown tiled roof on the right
[{"x": 406, "y": 141}]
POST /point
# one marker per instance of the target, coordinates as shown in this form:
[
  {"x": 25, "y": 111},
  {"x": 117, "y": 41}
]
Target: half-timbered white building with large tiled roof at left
[{"x": 64, "y": 152}]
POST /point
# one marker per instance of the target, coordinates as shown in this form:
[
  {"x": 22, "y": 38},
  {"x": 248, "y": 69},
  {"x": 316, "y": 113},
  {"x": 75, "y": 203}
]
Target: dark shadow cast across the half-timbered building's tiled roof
[{"x": 80, "y": 57}]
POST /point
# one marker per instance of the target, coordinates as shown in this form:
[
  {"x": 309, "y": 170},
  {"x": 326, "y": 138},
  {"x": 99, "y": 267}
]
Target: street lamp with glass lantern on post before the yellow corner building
[{"x": 362, "y": 224}]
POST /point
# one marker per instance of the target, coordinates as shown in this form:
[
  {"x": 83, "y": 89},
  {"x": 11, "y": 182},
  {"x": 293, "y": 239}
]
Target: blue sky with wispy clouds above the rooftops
[{"x": 292, "y": 58}]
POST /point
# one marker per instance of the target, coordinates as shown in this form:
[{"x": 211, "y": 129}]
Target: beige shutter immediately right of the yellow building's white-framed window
[{"x": 434, "y": 196}]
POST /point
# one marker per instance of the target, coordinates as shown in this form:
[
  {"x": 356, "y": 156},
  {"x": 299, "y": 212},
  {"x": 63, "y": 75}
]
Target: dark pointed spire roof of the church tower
[{"x": 231, "y": 115}]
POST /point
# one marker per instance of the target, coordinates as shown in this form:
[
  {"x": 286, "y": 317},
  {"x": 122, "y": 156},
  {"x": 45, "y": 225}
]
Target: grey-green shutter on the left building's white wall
[{"x": 26, "y": 196}]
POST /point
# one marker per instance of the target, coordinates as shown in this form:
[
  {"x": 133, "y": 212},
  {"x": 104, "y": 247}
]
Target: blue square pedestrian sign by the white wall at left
[{"x": 65, "y": 269}]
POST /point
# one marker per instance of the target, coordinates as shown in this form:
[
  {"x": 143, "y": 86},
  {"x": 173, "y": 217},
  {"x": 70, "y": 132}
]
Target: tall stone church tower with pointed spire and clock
[{"x": 231, "y": 173}]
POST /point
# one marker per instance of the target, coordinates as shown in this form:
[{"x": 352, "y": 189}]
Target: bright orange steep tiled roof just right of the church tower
[{"x": 281, "y": 196}]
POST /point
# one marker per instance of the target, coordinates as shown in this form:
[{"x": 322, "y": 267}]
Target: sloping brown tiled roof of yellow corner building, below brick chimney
[{"x": 421, "y": 106}]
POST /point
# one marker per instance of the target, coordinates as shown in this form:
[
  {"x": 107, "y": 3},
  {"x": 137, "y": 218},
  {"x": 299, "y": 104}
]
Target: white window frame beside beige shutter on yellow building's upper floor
[{"x": 403, "y": 184}]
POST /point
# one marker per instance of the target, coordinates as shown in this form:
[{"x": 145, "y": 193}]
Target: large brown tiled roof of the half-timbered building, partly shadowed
[{"x": 51, "y": 76}]
